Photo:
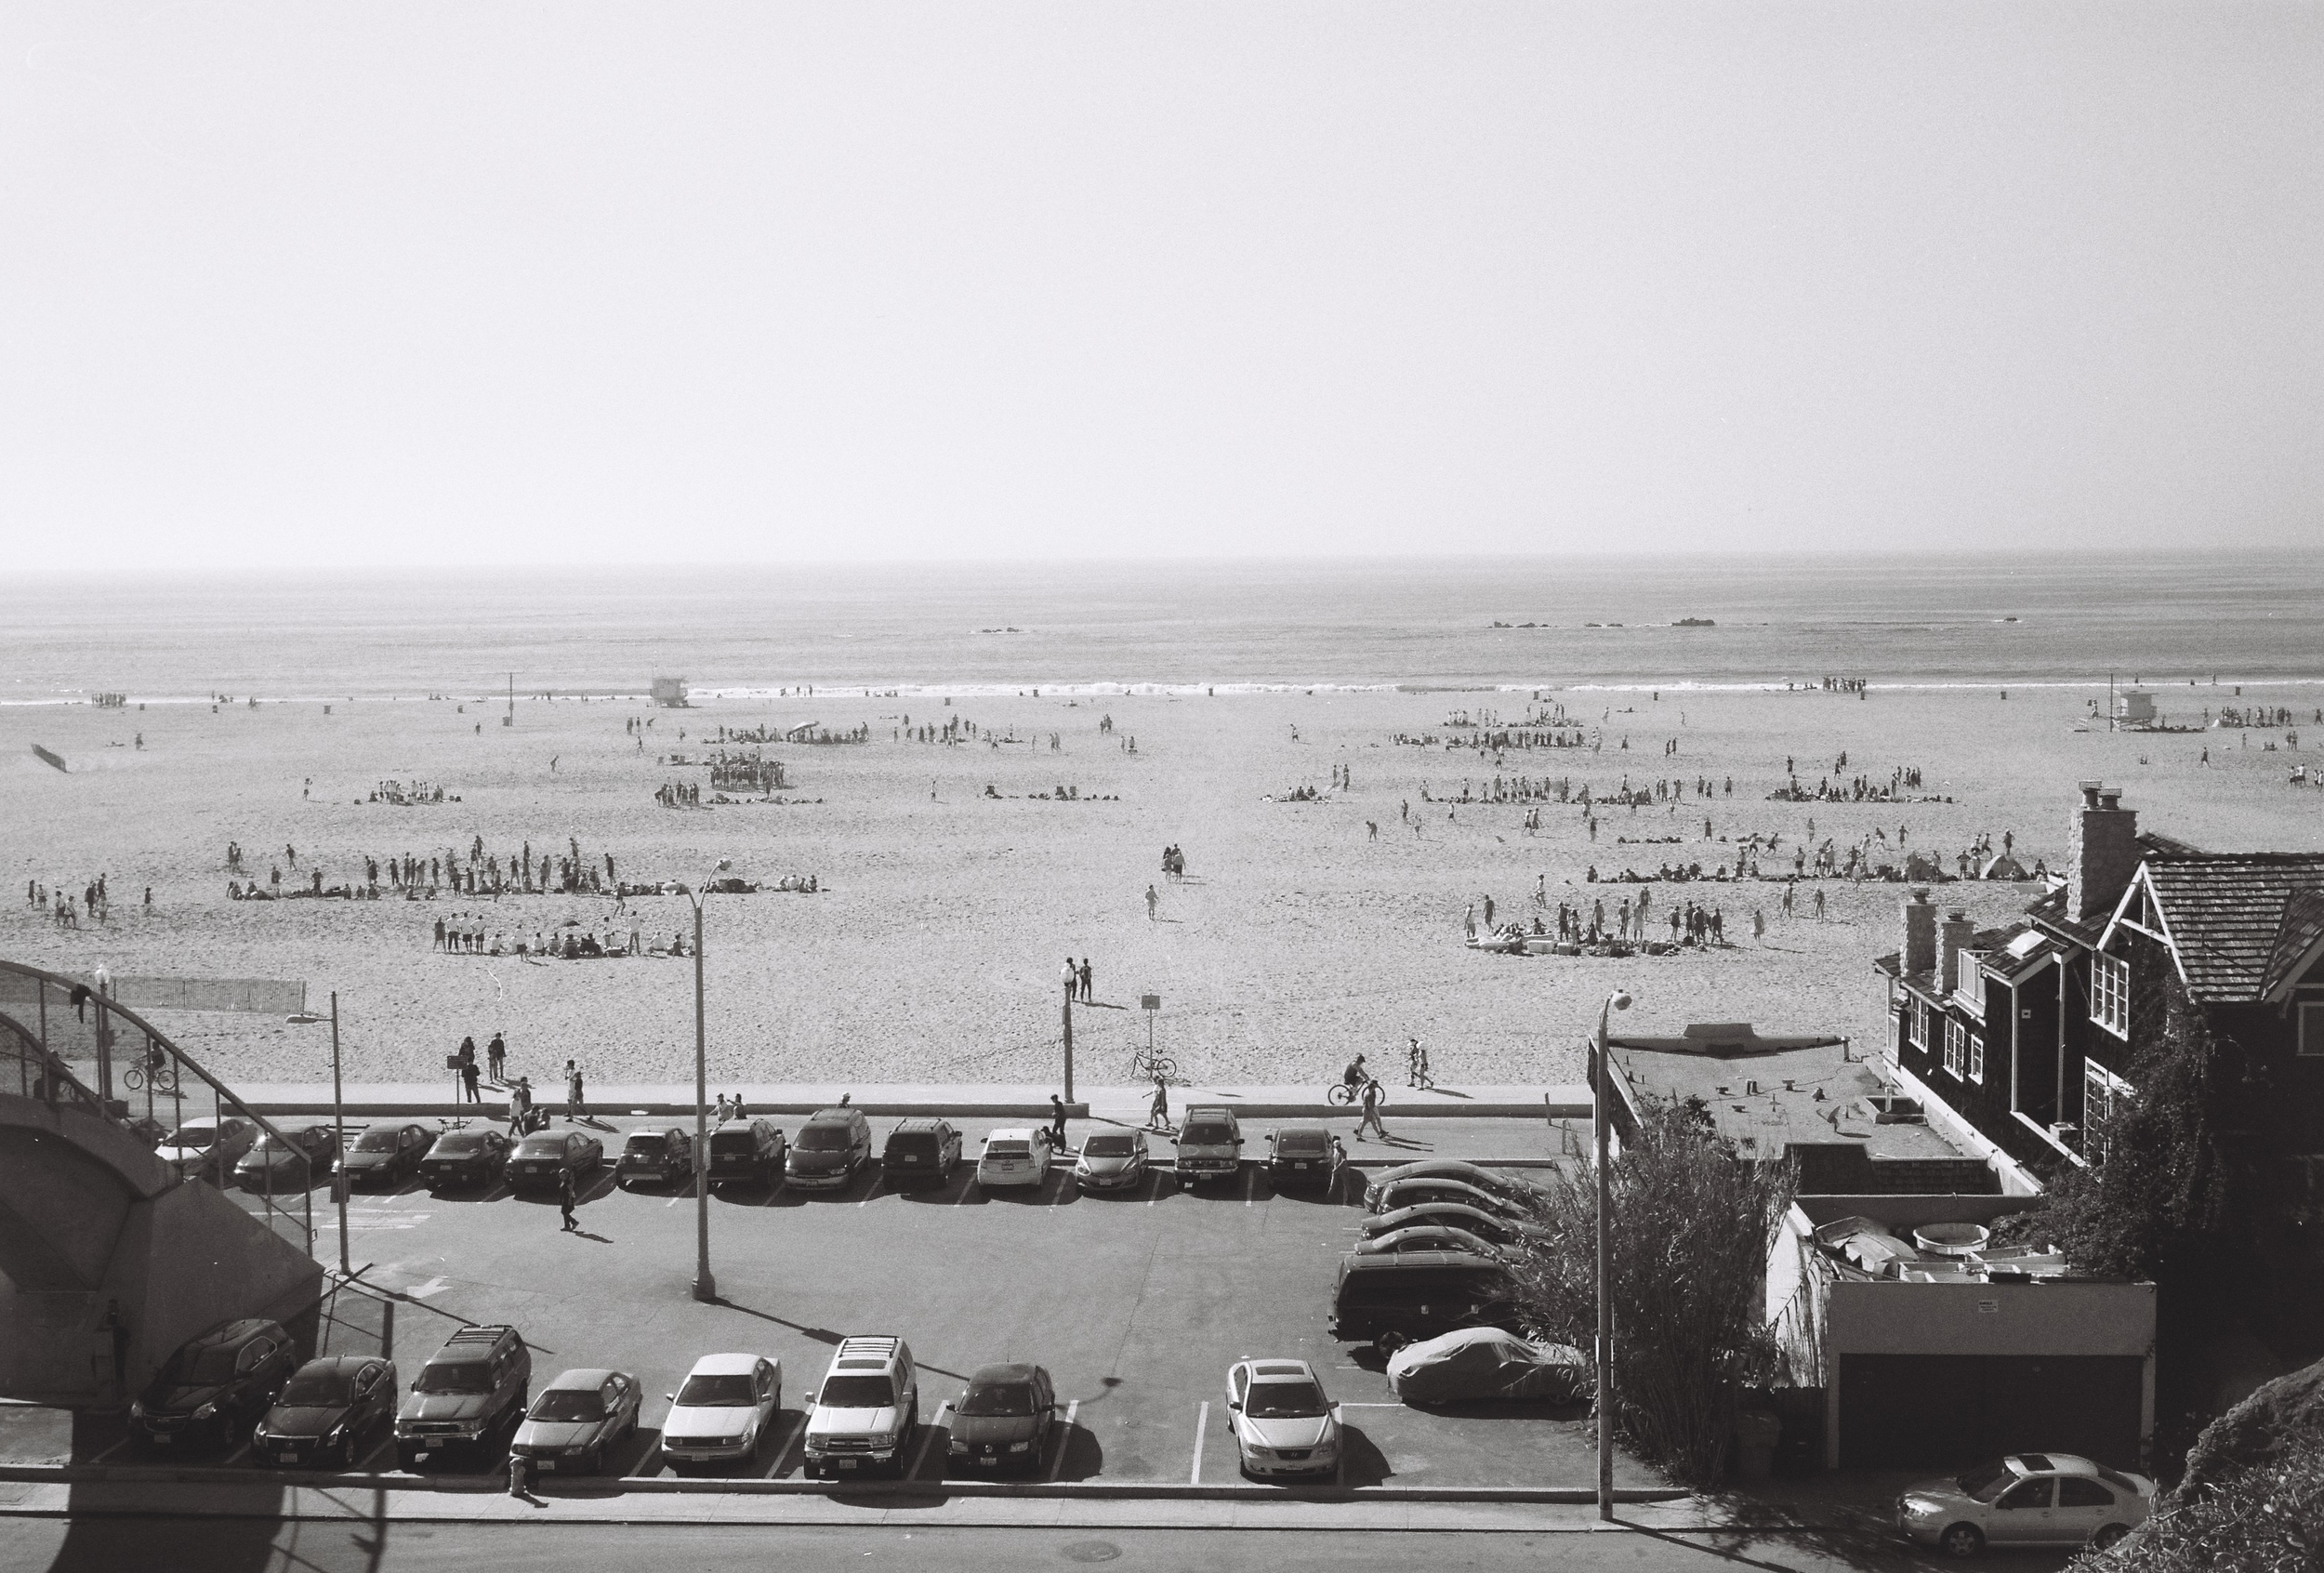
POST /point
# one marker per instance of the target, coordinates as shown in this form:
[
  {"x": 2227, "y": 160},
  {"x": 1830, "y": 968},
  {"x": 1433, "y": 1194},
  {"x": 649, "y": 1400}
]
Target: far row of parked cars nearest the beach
[{"x": 831, "y": 1151}]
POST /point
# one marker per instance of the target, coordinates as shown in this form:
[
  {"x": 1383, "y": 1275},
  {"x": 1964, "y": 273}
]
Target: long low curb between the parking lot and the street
[{"x": 887, "y": 1491}]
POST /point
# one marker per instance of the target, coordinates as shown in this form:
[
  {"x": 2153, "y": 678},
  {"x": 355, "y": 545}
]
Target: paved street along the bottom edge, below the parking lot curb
[{"x": 208, "y": 1546}]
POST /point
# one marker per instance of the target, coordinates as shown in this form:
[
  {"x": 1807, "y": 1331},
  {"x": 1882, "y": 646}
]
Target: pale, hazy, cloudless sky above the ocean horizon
[{"x": 396, "y": 282}]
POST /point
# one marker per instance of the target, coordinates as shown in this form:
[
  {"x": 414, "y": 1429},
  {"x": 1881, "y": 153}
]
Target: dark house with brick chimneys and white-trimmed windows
[{"x": 2025, "y": 1037}]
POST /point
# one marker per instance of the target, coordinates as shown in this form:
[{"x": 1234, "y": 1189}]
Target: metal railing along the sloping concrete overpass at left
[{"x": 76, "y": 1047}]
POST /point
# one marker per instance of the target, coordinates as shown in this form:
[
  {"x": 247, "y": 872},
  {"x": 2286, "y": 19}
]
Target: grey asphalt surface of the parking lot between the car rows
[{"x": 1138, "y": 1305}]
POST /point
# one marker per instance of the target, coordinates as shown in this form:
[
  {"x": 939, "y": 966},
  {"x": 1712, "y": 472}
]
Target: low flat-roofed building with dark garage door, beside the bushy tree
[{"x": 1907, "y": 1337}]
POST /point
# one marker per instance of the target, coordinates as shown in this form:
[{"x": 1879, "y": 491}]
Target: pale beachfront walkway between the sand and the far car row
[{"x": 949, "y": 1100}]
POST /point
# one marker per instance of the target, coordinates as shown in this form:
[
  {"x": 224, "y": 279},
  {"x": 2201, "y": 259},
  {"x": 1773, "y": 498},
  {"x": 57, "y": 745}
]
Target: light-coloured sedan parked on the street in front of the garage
[{"x": 2025, "y": 1500}]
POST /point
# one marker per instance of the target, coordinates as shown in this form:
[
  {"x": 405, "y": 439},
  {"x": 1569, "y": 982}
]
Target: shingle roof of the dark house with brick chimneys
[{"x": 2239, "y": 919}]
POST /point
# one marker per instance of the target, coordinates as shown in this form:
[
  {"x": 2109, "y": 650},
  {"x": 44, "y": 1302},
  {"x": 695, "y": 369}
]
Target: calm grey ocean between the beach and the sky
[{"x": 1172, "y": 626}]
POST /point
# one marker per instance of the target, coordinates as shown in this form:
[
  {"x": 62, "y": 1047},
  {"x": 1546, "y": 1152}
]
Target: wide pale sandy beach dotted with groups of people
[{"x": 933, "y": 949}]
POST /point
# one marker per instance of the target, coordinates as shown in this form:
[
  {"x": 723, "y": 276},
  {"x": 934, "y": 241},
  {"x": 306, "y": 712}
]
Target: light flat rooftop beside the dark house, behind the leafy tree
[{"x": 1767, "y": 1093}]
